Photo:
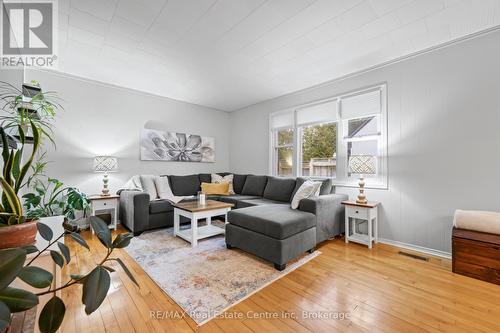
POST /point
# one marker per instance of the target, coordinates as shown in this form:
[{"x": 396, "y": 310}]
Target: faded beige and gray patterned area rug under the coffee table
[{"x": 207, "y": 280}]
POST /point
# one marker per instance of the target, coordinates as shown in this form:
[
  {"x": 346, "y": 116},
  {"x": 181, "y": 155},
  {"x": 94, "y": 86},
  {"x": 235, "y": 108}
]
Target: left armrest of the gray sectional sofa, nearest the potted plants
[{"x": 134, "y": 210}]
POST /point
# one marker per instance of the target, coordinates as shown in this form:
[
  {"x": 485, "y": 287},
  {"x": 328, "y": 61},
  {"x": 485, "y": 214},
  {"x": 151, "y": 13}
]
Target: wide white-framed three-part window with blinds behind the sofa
[{"x": 318, "y": 140}]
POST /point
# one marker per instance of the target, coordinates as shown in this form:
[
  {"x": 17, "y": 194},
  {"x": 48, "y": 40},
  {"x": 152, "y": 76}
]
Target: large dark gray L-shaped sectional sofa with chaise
[{"x": 262, "y": 221}]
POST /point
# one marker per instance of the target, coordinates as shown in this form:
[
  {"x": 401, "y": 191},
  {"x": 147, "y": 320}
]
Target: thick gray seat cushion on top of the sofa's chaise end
[{"x": 276, "y": 221}]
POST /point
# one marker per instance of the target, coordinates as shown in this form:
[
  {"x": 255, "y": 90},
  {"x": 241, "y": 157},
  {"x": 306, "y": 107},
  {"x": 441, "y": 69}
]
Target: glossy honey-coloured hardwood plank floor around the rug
[{"x": 379, "y": 291}]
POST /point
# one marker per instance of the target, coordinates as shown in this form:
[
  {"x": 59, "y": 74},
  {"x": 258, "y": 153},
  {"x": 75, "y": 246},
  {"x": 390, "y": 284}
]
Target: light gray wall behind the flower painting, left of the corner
[{"x": 101, "y": 119}]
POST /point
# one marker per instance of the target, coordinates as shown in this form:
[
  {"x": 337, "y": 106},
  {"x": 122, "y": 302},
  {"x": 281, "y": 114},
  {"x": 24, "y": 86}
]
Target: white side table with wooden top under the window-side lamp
[{"x": 367, "y": 212}]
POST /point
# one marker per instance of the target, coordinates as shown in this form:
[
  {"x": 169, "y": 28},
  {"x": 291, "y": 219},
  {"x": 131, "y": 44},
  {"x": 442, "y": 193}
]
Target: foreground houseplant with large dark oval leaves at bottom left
[{"x": 95, "y": 283}]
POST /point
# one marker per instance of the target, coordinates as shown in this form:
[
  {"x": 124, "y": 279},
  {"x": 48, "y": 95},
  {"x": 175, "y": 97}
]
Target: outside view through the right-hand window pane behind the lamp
[{"x": 363, "y": 136}]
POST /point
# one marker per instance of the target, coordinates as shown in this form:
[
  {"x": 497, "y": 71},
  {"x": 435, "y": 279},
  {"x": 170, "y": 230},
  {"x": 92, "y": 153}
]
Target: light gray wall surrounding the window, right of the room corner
[{"x": 443, "y": 133}]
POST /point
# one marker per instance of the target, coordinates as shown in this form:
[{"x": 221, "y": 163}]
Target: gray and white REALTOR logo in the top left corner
[{"x": 28, "y": 33}]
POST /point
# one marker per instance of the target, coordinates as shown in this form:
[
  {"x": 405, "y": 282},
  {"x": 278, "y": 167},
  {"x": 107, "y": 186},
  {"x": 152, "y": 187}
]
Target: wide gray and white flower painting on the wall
[{"x": 172, "y": 146}]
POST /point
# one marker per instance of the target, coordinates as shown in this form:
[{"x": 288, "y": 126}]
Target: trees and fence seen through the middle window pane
[{"x": 319, "y": 150}]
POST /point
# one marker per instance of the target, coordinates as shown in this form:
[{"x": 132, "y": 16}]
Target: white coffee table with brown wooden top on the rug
[{"x": 195, "y": 212}]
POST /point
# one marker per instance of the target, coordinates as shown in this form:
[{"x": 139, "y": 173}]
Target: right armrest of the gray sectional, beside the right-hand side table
[{"x": 329, "y": 213}]
